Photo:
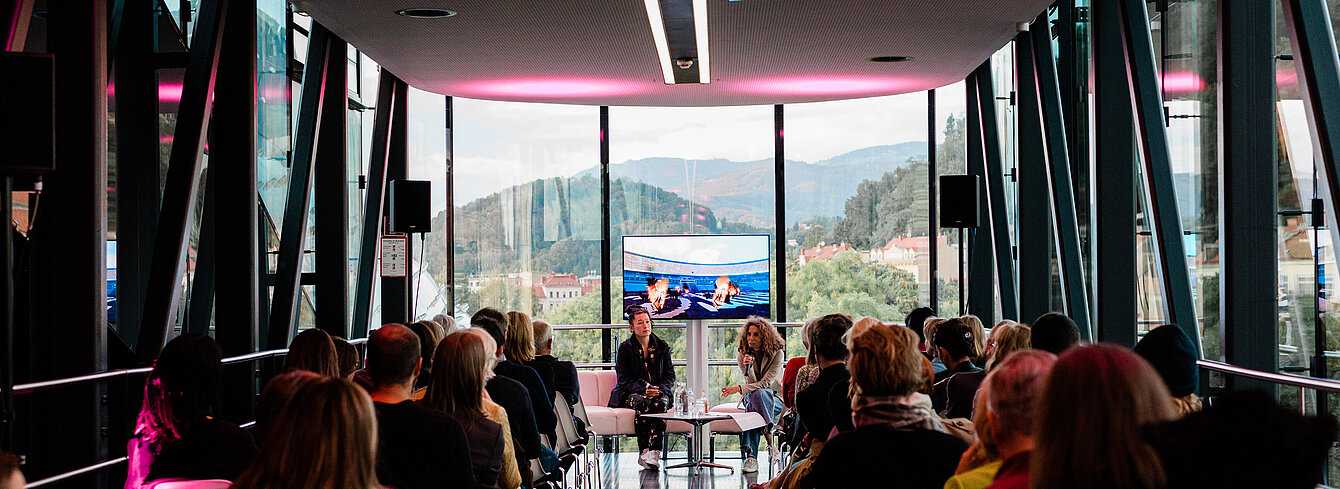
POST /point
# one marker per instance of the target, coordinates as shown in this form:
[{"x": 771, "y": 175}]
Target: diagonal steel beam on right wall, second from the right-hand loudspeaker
[{"x": 1065, "y": 220}]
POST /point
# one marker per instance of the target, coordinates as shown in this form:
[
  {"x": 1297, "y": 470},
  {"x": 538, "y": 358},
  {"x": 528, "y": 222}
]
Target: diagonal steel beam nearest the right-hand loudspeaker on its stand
[{"x": 998, "y": 220}]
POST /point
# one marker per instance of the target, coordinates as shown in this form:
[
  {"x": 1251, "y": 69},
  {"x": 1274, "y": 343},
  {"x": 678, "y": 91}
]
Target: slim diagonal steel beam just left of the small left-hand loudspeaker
[{"x": 373, "y": 204}]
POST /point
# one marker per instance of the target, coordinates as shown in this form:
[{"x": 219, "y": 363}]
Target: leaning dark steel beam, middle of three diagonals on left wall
[{"x": 283, "y": 310}]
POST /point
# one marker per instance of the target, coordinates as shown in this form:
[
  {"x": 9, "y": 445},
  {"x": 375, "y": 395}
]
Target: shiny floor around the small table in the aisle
[{"x": 622, "y": 472}]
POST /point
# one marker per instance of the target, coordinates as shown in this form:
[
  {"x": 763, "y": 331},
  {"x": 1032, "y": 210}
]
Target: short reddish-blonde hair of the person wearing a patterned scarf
[{"x": 884, "y": 361}]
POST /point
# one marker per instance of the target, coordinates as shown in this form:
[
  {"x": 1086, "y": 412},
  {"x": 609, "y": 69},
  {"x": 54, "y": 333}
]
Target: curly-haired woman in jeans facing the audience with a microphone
[{"x": 760, "y": 353}]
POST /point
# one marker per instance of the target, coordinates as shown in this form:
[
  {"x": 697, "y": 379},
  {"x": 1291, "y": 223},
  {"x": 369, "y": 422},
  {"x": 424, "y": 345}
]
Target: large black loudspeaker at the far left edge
[{"x": 29, "y": 136}]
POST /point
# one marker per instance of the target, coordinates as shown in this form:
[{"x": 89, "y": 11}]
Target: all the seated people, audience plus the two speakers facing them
[{"x": 935, "y": 403}]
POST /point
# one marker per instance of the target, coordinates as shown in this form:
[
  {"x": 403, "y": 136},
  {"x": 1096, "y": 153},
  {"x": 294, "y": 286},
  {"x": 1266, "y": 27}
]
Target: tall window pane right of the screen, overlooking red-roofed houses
[{"x": 858, "y": 208}]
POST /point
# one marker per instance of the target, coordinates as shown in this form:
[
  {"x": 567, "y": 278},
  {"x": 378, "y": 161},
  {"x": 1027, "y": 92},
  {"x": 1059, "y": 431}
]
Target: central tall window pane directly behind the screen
[{"x": 691, "y": 171}]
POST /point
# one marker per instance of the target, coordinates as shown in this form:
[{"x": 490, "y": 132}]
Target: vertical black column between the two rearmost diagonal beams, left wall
[{"x": 332, "y": 190}]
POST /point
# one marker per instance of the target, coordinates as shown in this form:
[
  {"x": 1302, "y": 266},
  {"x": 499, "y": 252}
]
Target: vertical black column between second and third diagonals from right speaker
[{"x": 1114, "y": 167}]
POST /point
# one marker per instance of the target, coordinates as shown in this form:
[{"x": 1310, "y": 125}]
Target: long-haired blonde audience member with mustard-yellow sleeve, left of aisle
[{"x": 458, "y": 389}]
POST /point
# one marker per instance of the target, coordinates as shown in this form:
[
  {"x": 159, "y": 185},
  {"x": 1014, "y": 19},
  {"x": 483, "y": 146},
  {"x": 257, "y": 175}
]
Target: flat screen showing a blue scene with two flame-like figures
[{"x": 697, "y": 277}]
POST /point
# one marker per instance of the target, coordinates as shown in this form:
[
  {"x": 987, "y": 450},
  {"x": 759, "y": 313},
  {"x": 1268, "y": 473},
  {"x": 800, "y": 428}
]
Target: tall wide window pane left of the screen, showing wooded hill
[{"x": 527, "y": 190}]
